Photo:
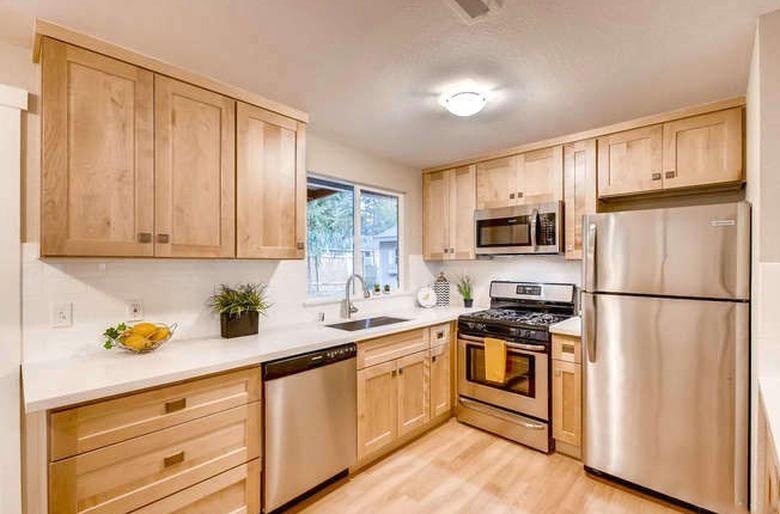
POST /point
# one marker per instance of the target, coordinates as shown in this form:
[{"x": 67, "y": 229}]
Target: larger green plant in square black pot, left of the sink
[{"x": 239, "y": 308}]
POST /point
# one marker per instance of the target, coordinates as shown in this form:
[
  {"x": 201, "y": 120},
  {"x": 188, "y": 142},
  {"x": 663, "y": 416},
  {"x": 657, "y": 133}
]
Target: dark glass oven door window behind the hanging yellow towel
[{"x": 520, "y": 371}]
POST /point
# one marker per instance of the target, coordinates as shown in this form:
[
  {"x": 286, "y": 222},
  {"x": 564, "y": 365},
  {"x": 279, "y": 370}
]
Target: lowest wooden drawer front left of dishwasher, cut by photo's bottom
[{"x": 236, "y": 491}]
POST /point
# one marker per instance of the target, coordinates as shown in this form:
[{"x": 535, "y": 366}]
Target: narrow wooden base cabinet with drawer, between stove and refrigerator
[{"x": 567, "y": 395}]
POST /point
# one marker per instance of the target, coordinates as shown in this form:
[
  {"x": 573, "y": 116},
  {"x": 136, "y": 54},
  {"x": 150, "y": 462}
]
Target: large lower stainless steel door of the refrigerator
[{"x": 666, "y": 396}]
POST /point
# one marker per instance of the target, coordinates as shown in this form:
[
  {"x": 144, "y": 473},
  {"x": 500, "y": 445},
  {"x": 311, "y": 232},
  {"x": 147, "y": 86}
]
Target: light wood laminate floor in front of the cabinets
[{"x": 459, "y": 469}]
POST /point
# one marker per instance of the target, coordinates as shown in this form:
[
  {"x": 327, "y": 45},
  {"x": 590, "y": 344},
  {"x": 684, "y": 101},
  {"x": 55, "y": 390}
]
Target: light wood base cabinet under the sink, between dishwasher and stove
[{"x": 401, "y": 396}]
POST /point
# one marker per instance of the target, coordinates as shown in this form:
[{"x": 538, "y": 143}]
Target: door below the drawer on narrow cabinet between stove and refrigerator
[{"x": 567, "y": 402}]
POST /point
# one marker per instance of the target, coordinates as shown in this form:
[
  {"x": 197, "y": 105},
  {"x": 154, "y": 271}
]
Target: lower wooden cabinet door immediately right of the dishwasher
[{"x": 377, "y": 389}]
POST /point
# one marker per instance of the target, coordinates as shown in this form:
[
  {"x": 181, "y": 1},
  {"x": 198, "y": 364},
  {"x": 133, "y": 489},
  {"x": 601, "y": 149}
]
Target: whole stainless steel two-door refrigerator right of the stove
[{"x": 666, "y": 308}]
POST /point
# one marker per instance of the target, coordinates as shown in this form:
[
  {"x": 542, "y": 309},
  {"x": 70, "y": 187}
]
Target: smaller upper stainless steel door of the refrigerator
[{"x": 696, "y": 252}]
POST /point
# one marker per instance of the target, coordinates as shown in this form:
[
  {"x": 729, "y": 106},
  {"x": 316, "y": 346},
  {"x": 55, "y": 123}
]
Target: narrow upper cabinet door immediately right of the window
[{"x": 436, "y": 215}]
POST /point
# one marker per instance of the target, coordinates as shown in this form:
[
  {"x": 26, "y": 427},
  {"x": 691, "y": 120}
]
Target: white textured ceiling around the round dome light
[{"x": 369, "y": 72}]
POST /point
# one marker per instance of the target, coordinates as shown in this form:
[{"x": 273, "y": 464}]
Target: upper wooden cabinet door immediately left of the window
[{"x": 271, "y": 185}]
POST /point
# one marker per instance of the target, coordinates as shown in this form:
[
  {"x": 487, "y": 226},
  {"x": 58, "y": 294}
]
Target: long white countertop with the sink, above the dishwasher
[{"x": 102, "y": 373}]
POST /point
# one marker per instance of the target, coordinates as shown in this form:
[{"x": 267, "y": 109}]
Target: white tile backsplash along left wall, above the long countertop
[{"x": 171, "y": 291}]
